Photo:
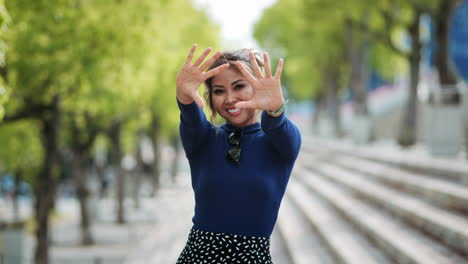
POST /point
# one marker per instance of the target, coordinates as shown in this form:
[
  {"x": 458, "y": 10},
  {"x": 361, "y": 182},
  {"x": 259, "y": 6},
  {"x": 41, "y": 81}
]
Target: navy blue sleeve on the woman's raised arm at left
[{"x": 193, "y": 128}]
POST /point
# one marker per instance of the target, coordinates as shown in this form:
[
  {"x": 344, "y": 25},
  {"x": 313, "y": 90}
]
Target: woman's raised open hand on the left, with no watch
[{"x": 190, "y": 76}]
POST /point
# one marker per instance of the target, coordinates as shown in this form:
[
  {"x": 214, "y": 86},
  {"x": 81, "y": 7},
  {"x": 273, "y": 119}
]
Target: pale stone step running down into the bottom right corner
[{"x": 396, "y": 238}]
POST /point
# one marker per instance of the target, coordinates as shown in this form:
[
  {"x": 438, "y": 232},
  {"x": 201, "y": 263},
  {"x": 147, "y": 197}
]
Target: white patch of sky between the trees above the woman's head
[{"x": 236, "y": 19}]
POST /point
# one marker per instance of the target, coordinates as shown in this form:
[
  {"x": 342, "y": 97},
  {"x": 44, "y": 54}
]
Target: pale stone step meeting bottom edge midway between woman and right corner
[{"x": 346, "y": 244}]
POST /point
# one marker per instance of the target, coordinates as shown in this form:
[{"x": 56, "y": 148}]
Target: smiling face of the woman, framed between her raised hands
[{"x": 228, "y": 88}]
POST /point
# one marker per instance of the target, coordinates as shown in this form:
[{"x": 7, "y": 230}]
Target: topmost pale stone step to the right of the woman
[{"x": 426, "y": 165}]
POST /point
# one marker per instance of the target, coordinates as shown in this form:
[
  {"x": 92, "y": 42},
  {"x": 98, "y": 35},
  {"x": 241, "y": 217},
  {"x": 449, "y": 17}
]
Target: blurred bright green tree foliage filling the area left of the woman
[{"x": 110, "y": 60}]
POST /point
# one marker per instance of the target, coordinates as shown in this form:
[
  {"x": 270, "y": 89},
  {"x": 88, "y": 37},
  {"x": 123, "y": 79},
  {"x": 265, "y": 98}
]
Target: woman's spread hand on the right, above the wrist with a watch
[{"x": 268, "y": 94}]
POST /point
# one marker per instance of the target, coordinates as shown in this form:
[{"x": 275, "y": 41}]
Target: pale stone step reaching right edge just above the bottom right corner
[{"x": 443, "y": 225}]
